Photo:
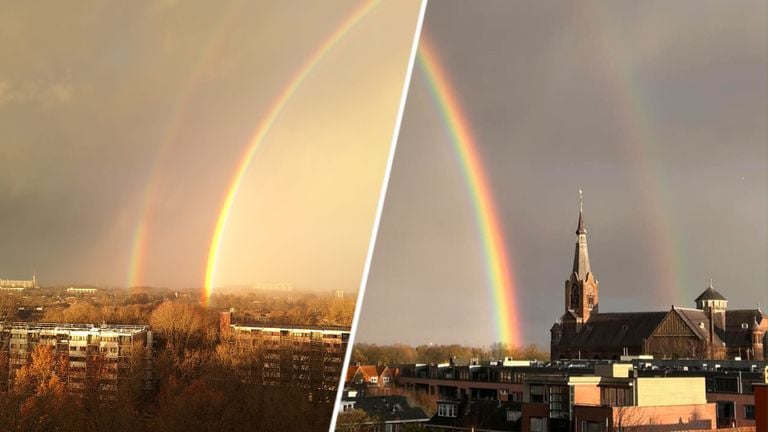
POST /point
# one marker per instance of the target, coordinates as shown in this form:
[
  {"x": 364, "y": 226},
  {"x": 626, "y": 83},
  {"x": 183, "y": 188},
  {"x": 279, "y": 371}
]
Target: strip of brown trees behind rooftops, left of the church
[{"x": 397, "y": 354}]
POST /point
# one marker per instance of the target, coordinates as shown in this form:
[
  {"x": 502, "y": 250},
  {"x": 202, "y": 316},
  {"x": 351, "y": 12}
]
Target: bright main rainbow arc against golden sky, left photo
[{"x": 262, "y": 131}]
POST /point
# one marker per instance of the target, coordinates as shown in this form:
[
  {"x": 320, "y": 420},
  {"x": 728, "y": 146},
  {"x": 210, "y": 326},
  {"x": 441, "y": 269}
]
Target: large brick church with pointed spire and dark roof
[{"x": 710, "y": 330}]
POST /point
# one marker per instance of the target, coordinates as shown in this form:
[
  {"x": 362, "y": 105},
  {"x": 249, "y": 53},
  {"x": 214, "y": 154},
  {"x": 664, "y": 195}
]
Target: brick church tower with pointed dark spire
[{"x": 581, "y": 288}]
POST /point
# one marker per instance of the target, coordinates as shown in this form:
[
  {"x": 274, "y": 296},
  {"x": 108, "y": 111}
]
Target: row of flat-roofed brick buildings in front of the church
[{"x": 588, "y": 396}]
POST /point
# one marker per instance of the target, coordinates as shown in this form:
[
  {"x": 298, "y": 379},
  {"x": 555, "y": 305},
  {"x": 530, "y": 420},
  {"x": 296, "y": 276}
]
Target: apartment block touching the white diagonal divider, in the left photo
[{"x": 308, "y": 357}]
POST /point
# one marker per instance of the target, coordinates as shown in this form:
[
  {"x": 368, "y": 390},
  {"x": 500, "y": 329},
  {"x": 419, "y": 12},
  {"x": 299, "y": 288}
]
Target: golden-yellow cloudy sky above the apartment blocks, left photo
[{"x": 115, "y": 114}]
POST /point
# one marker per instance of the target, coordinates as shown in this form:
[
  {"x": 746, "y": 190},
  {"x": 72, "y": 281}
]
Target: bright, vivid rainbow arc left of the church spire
[{"x": 497, "y": 258}]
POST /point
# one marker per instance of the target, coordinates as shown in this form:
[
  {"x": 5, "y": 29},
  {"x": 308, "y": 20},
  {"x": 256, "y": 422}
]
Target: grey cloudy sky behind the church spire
[{"x": 656, "y": 109}]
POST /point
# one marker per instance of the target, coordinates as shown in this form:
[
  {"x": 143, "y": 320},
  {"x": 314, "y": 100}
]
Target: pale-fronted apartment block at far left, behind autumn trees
[{"x": 100, "y": 357}]
